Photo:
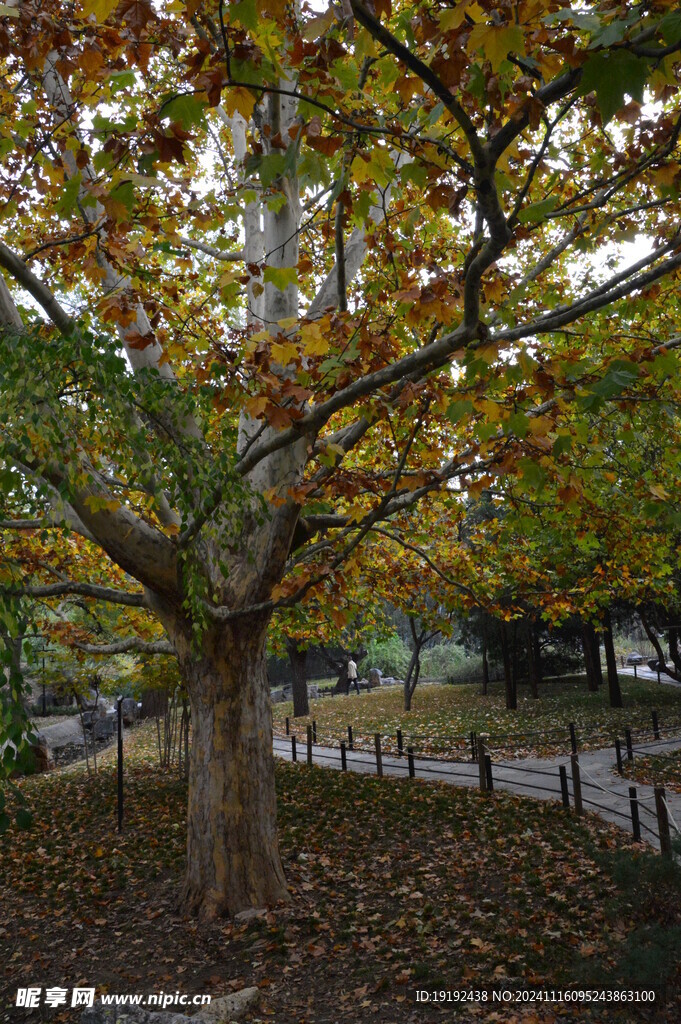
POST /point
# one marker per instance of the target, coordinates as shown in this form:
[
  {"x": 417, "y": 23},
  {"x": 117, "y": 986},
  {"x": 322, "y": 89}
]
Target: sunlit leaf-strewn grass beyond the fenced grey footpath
[{"x": 443, "y": 717}]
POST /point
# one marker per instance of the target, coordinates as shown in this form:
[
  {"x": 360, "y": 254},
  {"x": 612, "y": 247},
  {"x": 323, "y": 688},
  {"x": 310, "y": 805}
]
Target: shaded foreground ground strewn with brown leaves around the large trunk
[{"x": 396, "y": 886}]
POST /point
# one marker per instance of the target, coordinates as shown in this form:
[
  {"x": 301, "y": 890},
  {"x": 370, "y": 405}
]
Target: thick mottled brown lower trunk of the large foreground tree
[{"x": 233, "y": 850}]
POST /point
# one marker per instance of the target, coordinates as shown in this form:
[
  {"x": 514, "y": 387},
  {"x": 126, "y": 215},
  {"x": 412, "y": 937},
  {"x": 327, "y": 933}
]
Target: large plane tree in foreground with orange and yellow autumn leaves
[{"x": 273, "y": 276}]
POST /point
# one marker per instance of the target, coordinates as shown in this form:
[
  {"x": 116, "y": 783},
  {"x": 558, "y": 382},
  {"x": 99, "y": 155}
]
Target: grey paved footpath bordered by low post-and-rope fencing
[{"x": 528, "y": 778}]
